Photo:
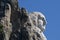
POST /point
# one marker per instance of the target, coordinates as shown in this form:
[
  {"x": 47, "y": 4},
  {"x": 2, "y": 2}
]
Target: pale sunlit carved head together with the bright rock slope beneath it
[{"x": 38, "y": 24}]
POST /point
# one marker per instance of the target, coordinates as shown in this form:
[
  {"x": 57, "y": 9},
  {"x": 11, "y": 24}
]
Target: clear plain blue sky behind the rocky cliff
[{"x": 51, "y": 9}]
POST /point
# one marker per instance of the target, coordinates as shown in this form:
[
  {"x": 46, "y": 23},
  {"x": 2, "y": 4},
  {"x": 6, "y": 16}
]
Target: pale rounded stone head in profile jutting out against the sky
[{"x": 39, "y": 20}]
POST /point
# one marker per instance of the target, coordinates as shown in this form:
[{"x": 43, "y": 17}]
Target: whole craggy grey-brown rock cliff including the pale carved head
[{"x": 18, "y": 24}]
